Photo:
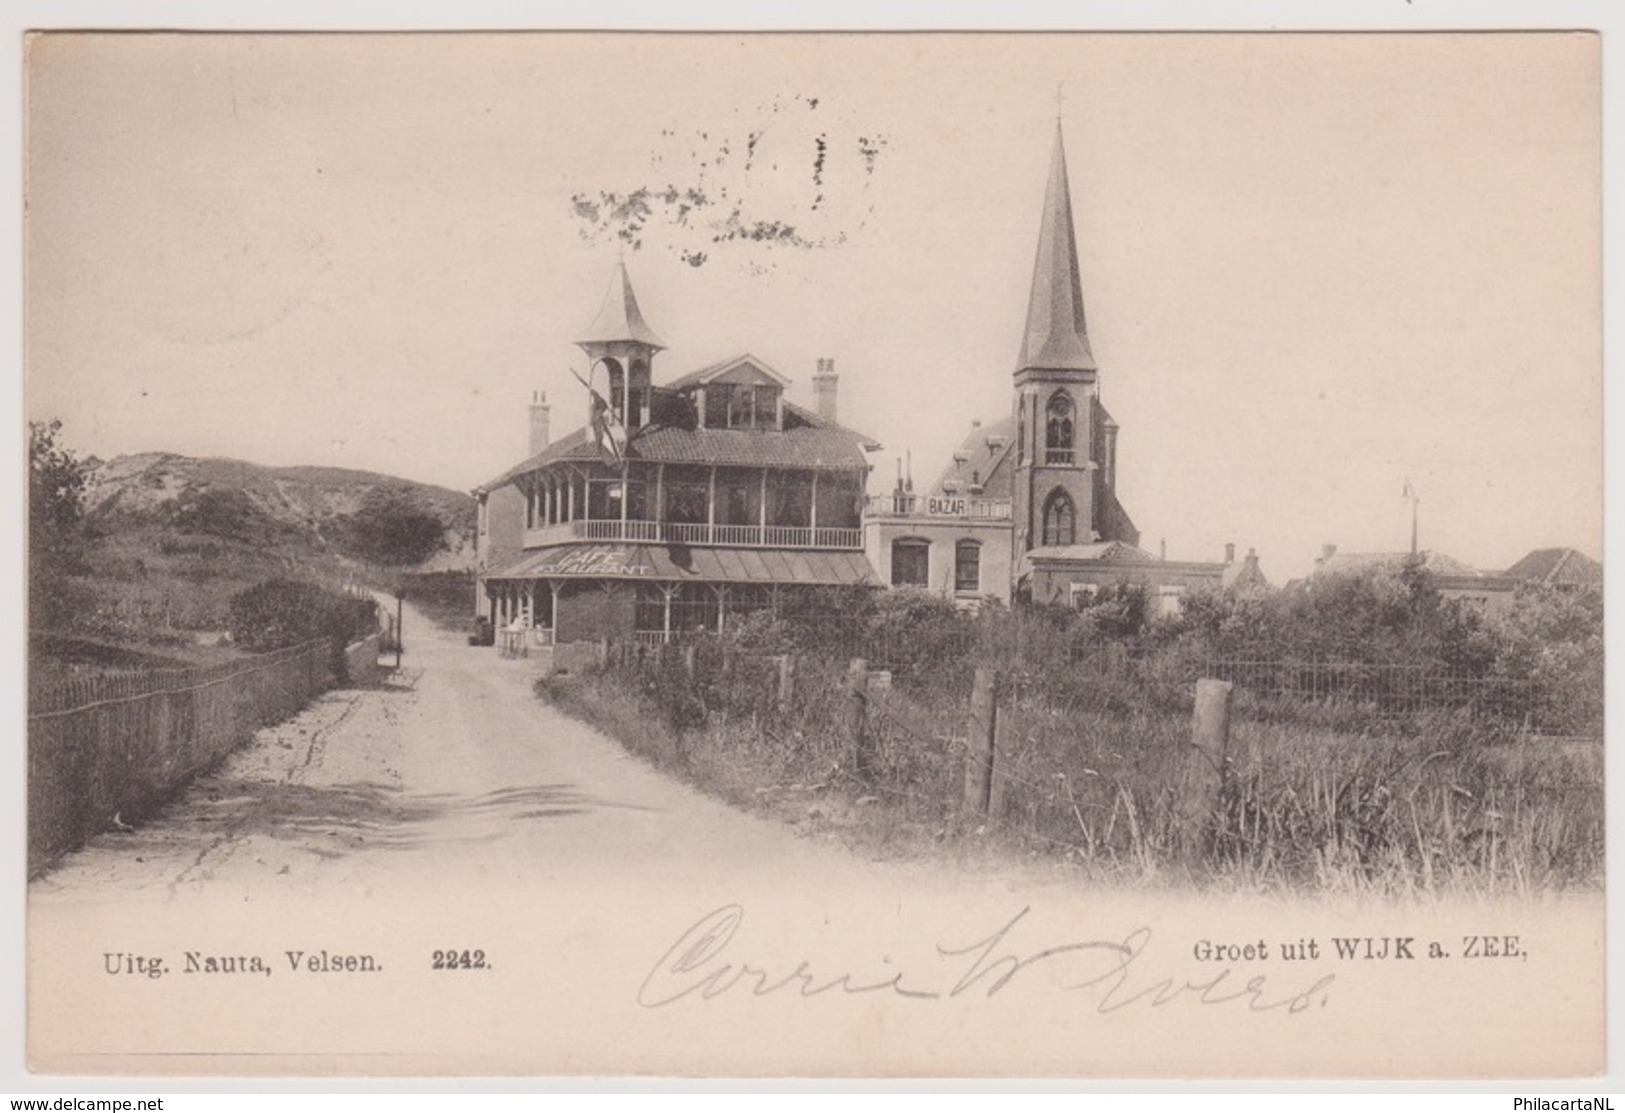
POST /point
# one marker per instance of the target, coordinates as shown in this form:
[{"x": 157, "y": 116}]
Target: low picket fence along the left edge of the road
[{"x": 111, "y": 748}]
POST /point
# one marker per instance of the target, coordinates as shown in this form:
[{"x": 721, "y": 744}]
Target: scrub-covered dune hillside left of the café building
[{"x": 168, "y": 540}]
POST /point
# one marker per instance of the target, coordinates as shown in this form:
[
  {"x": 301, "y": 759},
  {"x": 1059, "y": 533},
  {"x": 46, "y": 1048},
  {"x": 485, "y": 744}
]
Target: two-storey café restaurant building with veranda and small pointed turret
[{"x": 674, "y": 508}]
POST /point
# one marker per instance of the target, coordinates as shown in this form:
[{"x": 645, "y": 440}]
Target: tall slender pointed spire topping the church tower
[{"x": 1057, "y": 337}]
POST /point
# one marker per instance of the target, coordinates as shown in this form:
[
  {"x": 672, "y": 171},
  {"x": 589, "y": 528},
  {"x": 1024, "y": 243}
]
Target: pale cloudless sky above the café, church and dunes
[{"x": 1314, "y": 266}]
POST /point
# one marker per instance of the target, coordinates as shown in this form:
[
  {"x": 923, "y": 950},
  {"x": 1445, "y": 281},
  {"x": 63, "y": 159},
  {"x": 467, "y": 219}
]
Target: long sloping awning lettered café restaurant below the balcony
[{"x": 690, "y": 563}]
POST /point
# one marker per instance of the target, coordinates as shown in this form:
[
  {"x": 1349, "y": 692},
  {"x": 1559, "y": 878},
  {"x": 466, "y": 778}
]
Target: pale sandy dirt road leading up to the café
[{"x": 449, "y": 774}]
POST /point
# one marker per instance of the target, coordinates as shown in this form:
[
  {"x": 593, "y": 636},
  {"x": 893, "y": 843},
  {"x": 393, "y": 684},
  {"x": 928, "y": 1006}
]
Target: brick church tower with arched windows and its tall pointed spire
[{"x": 1065, "y": 440}]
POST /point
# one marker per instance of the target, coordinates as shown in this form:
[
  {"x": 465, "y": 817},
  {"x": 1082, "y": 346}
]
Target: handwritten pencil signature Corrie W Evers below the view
[{"x": 701, "y": 964}]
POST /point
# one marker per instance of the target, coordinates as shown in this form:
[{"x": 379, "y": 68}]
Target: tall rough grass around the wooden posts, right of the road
[{"x": 1431, "y": 805}]
